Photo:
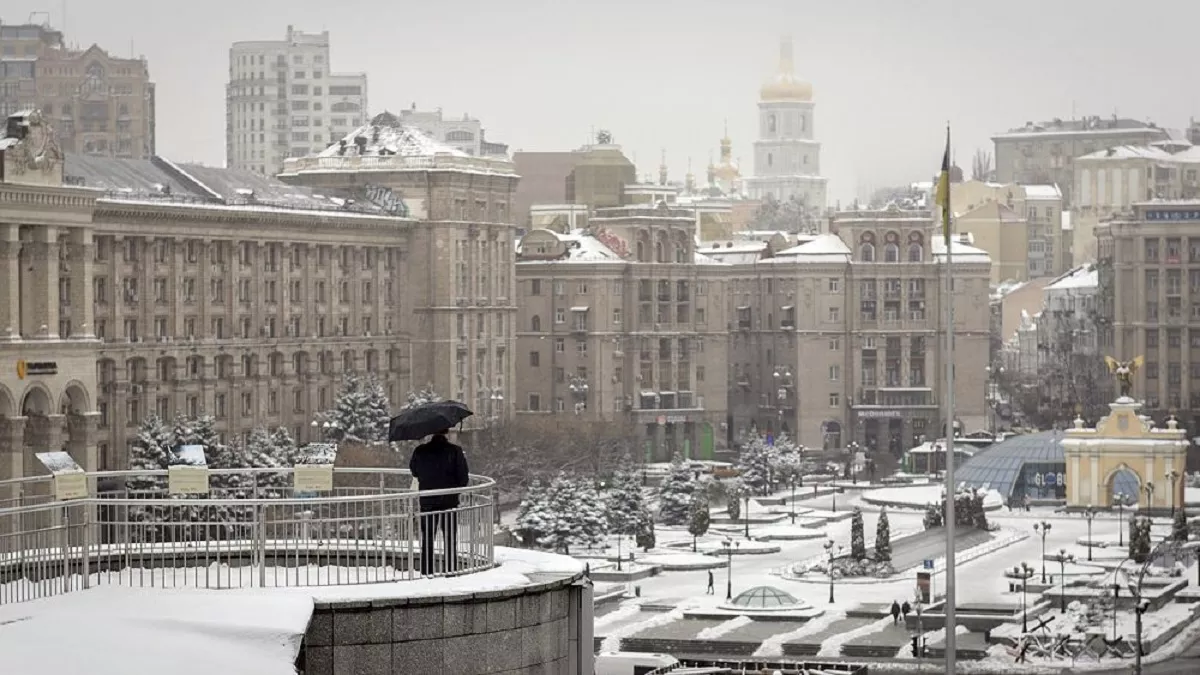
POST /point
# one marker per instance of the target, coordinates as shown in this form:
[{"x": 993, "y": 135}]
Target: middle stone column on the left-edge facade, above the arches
[{"x": 40, "y": 285}]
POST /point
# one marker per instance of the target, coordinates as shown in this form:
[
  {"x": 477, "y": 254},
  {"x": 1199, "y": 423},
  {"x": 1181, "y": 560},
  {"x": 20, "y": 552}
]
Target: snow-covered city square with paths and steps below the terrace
[{"x": 675, "y": 612}]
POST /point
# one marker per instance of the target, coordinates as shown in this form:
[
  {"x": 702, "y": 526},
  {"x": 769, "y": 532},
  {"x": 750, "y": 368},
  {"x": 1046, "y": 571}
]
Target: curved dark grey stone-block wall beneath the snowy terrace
[{"x": 530, "y": 631}]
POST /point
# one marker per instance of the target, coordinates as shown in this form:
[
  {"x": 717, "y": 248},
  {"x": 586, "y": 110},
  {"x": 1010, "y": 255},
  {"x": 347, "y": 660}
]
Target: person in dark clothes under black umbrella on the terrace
[{"x": 437, "y": 465}]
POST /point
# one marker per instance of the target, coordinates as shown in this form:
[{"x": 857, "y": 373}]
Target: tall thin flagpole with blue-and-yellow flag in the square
[{"x": 951, "y": 606}]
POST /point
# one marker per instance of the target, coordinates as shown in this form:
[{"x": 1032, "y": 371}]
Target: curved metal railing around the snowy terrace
[{"x": 251, "y": 530}]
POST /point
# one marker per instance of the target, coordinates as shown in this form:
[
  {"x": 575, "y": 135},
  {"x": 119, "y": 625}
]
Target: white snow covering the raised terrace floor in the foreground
[{"x": 118, "y": 630}]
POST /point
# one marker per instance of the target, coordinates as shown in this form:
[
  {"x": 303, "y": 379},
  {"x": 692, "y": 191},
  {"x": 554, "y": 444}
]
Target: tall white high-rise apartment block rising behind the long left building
[{"x": 285, "y": 101}]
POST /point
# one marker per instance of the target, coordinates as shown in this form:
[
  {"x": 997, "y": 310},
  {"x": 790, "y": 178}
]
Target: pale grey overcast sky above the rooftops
[{"x": 665, "y": 74}]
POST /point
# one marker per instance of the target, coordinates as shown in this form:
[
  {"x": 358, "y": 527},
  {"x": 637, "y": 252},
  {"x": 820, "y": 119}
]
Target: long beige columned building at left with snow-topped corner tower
[{"x": 154, "y": 288}]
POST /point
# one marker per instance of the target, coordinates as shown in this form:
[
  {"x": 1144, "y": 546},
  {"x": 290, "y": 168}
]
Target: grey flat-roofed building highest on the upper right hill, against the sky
[{"x": 1045, "y": 153}]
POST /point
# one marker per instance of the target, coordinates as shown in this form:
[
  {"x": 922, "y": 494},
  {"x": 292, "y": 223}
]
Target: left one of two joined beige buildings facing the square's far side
[{"x": 626, "y": 324}]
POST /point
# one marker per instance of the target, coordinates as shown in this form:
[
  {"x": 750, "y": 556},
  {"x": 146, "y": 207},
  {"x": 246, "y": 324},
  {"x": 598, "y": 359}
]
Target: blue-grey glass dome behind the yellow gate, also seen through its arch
[{"x": 1031, "y": 465}]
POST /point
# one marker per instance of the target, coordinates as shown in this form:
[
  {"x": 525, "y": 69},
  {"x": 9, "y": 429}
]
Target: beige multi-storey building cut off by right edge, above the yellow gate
[{"x": 1149, "y": 274}]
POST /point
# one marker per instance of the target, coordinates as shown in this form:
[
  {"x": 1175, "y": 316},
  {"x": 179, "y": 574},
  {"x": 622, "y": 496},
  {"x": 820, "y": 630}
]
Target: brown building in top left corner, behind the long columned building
[{"x": 100, "y": 105}]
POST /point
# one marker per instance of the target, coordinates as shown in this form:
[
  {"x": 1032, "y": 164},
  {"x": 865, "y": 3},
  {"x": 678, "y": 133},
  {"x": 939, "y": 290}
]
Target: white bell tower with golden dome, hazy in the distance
[{"x": 787, "y": 157}]
